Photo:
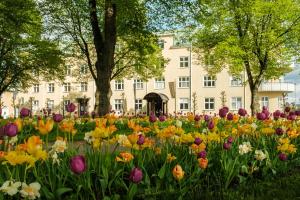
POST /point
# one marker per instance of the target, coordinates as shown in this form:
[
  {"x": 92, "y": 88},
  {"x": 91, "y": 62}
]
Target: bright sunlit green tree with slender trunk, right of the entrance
[{"x": 257, "y": 36}]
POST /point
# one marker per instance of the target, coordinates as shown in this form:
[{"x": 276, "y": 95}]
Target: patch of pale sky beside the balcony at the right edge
[{"x": 294, "y": 77}]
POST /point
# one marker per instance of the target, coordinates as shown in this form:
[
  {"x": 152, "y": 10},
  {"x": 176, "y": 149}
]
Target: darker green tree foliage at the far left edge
[{"x": 25, "y": 50}]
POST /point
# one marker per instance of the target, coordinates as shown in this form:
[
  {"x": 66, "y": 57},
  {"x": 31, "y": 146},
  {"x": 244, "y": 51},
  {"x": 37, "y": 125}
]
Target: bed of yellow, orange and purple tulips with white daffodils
[{"x": 224, "y": 156}]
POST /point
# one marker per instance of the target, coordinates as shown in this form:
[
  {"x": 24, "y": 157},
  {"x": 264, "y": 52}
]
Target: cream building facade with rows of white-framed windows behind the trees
[{"x": 184, "y": 87}]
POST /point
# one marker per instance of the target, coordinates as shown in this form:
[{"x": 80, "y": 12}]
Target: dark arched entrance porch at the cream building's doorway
[{"x": 157, "y": 103}]
